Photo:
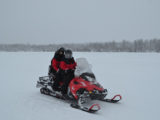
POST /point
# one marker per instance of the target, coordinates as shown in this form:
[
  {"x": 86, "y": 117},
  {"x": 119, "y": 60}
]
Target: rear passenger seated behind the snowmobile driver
[{"x": 55, "y": 62}]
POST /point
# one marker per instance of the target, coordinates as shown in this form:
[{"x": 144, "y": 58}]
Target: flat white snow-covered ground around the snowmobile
[{"x": 136, "y": 76}]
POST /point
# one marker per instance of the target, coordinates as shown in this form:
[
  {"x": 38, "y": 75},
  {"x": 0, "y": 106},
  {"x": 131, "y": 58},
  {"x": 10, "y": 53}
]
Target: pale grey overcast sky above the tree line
[{"x": 63, "y": 21}]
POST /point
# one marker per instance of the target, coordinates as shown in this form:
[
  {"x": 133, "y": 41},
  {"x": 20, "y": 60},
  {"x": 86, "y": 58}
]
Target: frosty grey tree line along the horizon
[{"x": 140, "y": 45}]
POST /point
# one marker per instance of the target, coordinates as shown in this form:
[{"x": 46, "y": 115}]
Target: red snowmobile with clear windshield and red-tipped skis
[{"x": 81, "y": 90}]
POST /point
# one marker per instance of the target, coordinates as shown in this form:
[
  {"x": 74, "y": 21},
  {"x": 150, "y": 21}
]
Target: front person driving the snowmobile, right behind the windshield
[{"x": 66, "y": 71}]
